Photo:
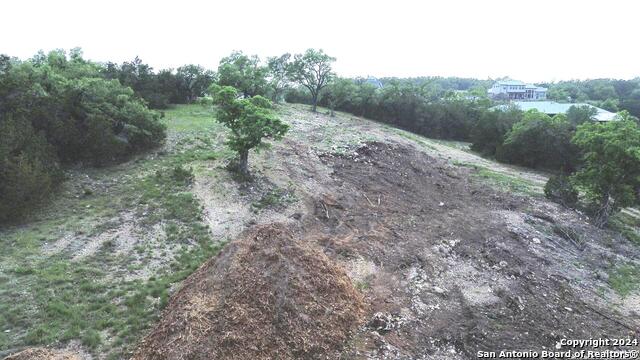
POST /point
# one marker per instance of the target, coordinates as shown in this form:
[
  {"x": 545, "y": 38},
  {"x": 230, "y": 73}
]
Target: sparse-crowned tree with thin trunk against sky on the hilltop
[{"x": 313, "y": 71}]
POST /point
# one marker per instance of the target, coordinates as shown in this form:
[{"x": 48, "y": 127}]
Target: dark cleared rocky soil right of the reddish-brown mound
[{"x": 454, "y": 274}]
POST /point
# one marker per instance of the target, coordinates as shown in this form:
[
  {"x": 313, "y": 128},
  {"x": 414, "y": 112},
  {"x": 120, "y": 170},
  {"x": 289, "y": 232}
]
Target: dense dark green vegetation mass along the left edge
[{"x": 58, "y": 109}]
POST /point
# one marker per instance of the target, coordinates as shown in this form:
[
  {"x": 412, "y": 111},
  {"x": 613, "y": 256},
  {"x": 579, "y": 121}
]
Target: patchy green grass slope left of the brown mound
[{"x": 107, "y": 300}]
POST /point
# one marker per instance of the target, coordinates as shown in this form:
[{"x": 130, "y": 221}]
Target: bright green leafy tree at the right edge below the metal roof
[{"x": 610, "y": 175}]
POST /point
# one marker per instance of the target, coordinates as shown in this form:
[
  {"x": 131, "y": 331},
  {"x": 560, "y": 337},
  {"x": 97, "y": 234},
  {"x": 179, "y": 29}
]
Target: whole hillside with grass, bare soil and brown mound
[{"x": 354, "y": 240}]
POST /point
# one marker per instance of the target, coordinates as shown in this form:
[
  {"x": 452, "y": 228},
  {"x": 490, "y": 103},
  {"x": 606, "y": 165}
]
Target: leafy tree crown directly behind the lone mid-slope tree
[{"x": 243, "y": 73}]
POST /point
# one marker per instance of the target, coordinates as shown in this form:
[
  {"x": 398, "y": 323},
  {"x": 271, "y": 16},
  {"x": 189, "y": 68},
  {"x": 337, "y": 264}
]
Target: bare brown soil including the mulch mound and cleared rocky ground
[{"x": 447, "y": 267}]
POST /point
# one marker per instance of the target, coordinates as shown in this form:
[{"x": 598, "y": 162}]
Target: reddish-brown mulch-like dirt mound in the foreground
[{"x": 266, "y": 296}]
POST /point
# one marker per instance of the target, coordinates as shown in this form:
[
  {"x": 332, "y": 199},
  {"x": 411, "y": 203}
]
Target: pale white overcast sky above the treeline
[{"x": 533, "y": 41}]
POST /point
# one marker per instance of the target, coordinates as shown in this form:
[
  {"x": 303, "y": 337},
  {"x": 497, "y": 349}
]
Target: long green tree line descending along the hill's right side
[{"x": 600, "y": 162}]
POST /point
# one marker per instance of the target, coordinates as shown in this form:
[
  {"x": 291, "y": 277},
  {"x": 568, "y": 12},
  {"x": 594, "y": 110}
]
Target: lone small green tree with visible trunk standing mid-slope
[{"x": 250, "y": 121}]
